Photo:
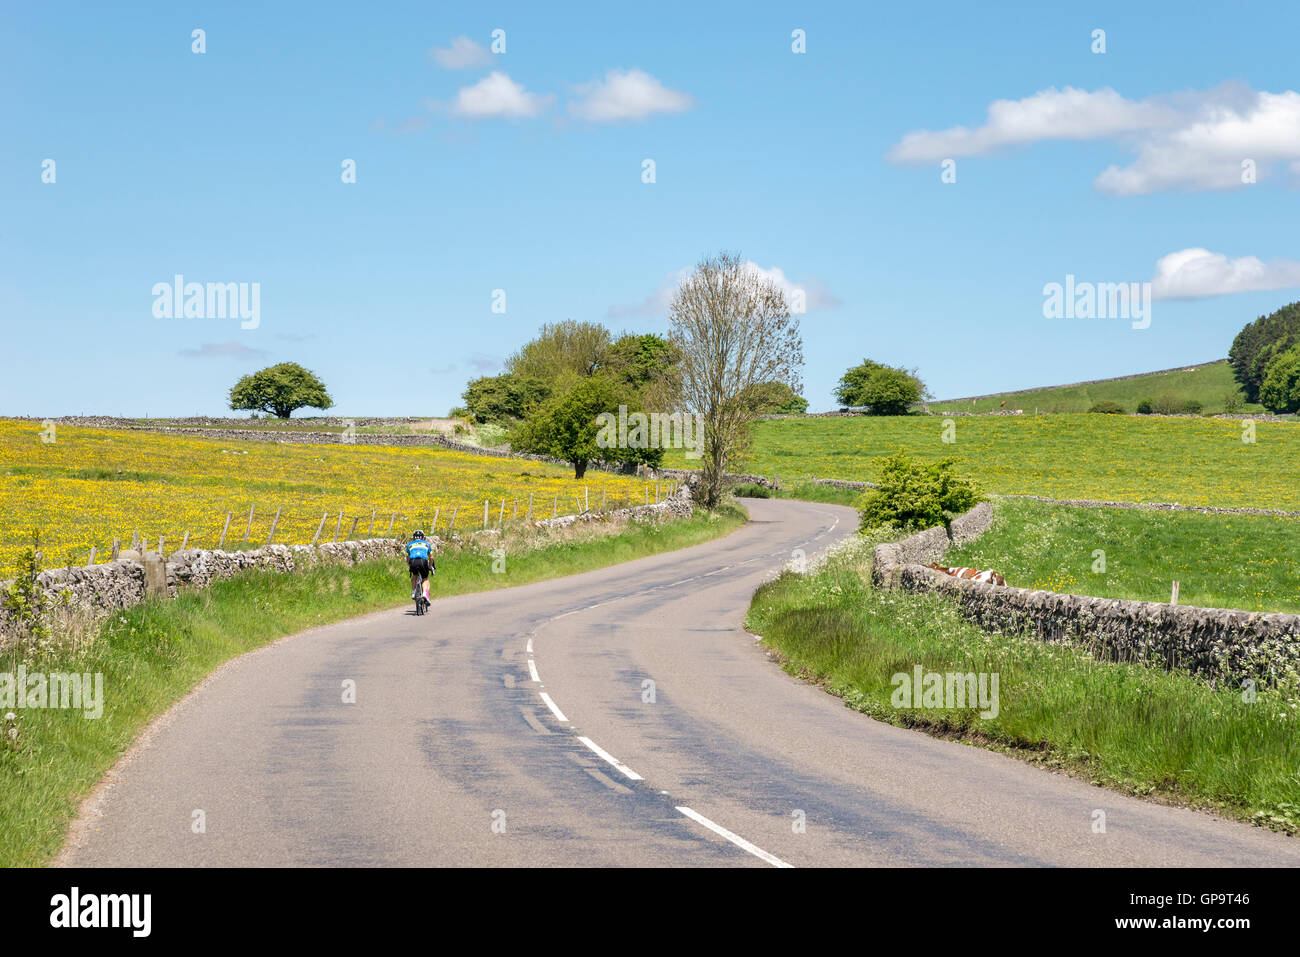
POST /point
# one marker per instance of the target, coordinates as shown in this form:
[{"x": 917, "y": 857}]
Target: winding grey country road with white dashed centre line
[{"x": 513, "y": 729}]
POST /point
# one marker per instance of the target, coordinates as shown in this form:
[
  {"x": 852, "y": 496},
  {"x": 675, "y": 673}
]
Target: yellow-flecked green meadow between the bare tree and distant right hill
[{"x": 1094, "y": 457}]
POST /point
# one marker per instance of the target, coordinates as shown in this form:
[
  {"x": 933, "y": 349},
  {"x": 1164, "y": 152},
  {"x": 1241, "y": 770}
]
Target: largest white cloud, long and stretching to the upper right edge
[{"x": 1193, "y": 141}]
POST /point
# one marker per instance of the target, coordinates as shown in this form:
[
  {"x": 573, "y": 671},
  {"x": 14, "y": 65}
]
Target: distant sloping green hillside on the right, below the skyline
[{"x": 1211, "y": 384}]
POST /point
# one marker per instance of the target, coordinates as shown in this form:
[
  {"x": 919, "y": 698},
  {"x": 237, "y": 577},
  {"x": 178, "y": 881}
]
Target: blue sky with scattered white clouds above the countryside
[{"x": 523, "y": 172}]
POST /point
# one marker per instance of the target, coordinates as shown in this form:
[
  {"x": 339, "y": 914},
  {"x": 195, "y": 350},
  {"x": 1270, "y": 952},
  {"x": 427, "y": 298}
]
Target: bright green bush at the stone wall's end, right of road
[{"x": 913, "y": 495}]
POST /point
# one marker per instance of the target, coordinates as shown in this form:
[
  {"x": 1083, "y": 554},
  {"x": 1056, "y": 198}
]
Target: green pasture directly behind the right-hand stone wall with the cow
[{"x": 1249, "y": 562}]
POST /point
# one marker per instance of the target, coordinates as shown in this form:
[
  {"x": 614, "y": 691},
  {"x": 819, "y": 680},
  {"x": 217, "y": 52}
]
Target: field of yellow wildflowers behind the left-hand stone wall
[{"x": 93, "y": 486}]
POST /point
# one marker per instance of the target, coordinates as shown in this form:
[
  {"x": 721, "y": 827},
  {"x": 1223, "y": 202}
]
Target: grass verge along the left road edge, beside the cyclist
[{"x": 151, "y": 656}]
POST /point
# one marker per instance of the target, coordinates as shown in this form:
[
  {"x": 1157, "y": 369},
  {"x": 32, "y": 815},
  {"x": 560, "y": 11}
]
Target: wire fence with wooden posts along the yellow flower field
[{"x": 271, "y": 523}]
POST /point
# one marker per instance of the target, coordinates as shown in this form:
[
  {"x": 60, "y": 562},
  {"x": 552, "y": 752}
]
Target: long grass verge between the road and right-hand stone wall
[{"x": 1132, "y": 728}]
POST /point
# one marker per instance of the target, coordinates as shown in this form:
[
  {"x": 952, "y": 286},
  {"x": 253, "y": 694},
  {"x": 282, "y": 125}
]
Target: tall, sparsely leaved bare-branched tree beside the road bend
[{"x": 734, "y": 331}]
